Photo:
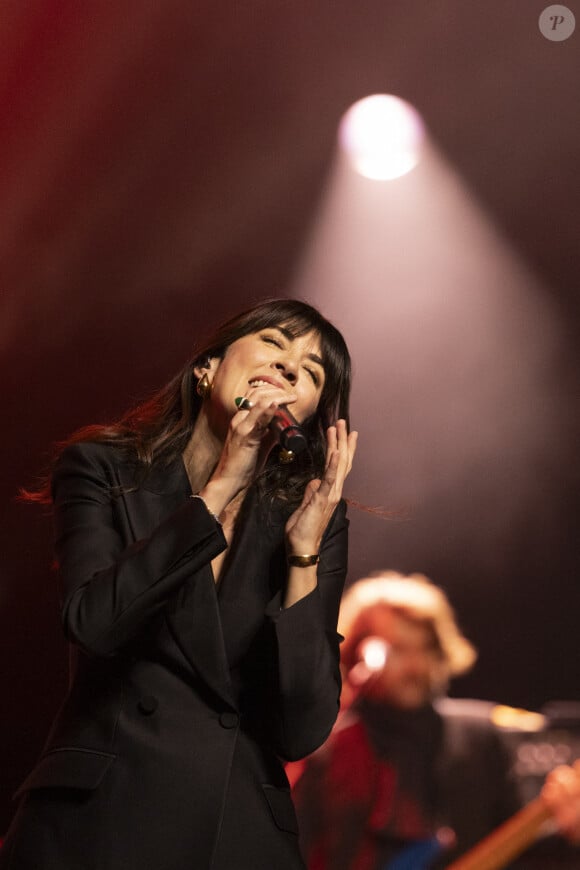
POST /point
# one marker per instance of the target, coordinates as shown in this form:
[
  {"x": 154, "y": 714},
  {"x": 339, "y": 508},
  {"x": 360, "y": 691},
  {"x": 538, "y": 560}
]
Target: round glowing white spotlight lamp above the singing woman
[{"x": 382, "y": 135}]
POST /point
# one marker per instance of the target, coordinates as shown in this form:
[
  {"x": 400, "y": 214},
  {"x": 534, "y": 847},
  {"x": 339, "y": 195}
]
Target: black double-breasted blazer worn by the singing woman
[{"x": 184, "y": 695}]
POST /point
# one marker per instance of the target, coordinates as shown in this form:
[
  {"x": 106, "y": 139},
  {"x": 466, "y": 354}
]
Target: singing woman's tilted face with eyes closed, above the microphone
[{"x": 269, "y": 364}]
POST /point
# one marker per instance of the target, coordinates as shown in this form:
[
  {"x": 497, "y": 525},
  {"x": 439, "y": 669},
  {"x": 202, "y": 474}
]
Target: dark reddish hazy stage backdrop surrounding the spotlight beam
[{"x": 160, "y": 163}]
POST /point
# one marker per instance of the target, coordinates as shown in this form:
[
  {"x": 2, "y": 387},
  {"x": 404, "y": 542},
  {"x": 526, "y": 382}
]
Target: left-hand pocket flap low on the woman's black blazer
[{"x": 68, "y": 768}]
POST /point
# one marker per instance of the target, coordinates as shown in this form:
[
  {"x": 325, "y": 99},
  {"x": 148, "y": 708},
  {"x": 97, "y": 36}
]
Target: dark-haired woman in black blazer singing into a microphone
[{"x": 201, "y": 575}]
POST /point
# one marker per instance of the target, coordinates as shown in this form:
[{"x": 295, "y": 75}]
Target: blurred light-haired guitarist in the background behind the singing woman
[{"x": 409, "y": 778}]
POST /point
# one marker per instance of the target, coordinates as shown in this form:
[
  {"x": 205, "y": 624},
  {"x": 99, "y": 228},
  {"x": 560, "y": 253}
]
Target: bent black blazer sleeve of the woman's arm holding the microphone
[{"x": 112, "y": 590}]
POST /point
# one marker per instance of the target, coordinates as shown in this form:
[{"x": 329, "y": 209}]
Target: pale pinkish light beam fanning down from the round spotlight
[{"x": 456, "y": 345}]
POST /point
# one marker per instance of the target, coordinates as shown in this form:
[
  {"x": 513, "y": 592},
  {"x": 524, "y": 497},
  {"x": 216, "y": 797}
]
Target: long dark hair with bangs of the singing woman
[{"x": 158, "y": 429}]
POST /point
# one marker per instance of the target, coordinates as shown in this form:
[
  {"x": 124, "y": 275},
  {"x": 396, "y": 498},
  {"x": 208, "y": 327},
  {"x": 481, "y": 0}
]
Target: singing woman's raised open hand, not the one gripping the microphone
[{"x": 306, "y": 526}]
